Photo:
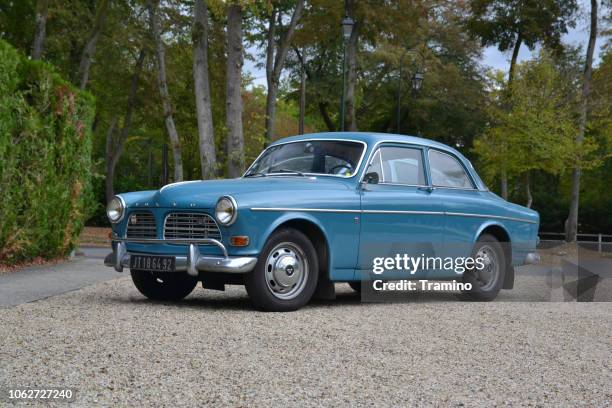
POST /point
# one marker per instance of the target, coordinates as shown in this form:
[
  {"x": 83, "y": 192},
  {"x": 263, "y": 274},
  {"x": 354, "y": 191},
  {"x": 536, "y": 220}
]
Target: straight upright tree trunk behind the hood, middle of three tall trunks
[{"x": 208, "y": 156}]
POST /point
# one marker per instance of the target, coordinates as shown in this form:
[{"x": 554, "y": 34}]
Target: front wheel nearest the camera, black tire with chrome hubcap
[{"x": 270, "y": 276}]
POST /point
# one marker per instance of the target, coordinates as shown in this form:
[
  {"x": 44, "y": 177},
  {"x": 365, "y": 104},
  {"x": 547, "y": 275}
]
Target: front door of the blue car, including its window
[{"x": 399, "y": 215}]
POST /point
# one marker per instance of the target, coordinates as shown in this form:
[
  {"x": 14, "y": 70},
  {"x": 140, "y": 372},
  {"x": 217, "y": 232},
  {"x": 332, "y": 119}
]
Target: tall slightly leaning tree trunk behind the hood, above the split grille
[{"x": 165, "y": 95}]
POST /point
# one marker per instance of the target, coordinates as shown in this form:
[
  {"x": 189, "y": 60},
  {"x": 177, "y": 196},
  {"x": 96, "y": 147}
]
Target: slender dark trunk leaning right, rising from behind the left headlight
[{"x": 114, "y": 149}]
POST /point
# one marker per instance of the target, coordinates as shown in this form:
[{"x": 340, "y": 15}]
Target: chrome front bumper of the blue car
[{"x": 192, "y": 263}]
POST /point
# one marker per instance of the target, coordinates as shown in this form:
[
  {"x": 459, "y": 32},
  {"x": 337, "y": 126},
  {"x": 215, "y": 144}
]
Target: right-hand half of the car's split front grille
[{"x": 191, "y": 226}]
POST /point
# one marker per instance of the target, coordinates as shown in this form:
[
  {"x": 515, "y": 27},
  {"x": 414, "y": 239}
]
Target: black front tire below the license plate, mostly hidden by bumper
[{"x": 167, "y": 286}]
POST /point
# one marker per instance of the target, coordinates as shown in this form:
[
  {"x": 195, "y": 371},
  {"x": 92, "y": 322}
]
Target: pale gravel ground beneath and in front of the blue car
[{"x": 116, "y": 348}]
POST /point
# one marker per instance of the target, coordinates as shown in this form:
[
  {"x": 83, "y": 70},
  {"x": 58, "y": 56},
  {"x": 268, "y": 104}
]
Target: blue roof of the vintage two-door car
[{"x": 371, "y": 138}]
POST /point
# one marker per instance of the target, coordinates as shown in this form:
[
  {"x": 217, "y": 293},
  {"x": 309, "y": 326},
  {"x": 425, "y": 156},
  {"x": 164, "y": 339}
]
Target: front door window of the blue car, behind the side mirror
[{"x": 398, "y": 165}]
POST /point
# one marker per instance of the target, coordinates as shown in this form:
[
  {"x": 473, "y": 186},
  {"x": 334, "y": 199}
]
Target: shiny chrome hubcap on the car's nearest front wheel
[{"x": 286, "y": 271}]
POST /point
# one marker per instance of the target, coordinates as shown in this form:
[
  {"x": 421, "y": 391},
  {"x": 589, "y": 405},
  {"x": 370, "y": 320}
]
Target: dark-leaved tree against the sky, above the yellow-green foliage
[{"x": 511, "y": 23}]
